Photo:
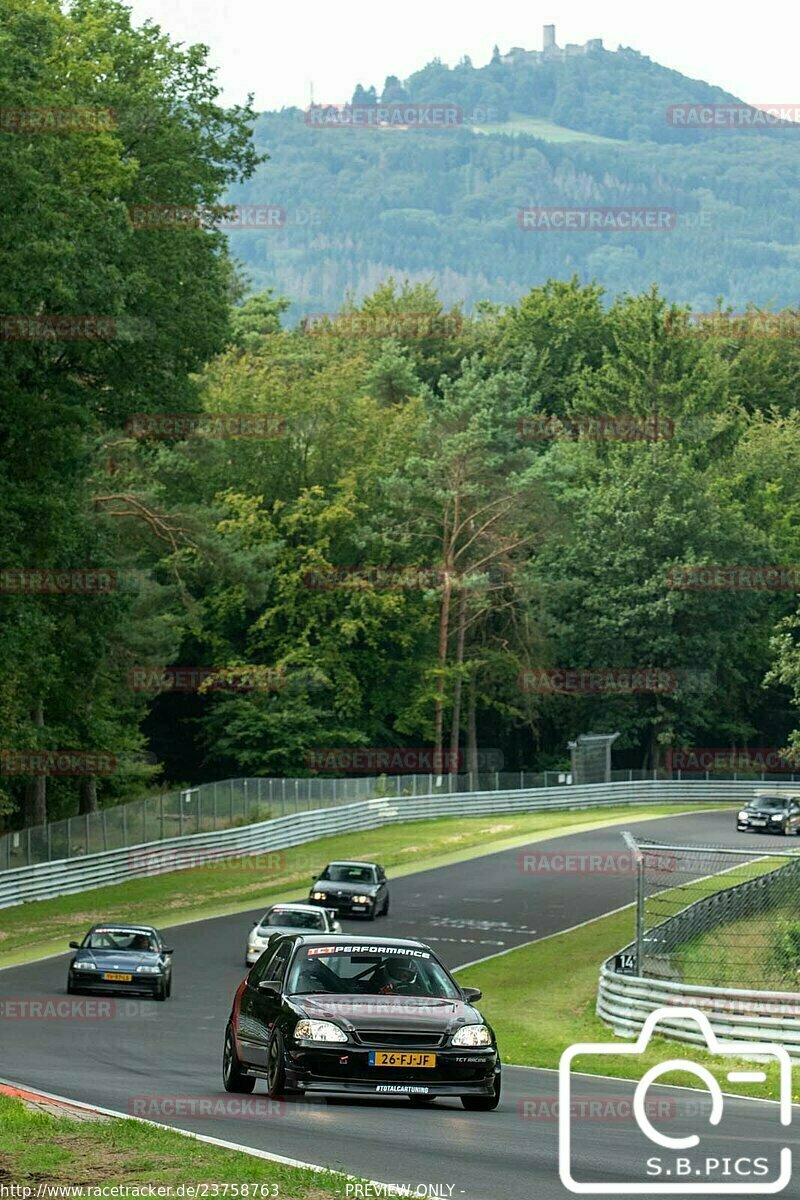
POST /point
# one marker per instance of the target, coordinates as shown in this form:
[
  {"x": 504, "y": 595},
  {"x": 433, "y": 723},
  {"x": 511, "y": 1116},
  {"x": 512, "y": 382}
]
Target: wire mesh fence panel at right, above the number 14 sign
[{"x": 719, "y": 917}]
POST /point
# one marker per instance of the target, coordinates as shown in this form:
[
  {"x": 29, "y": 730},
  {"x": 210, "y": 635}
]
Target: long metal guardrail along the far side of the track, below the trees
[{"x": 70, "y": 875}]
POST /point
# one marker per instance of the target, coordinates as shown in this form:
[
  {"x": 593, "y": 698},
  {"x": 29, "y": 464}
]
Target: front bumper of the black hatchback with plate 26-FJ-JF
[{"x": 347, "y": 1070}]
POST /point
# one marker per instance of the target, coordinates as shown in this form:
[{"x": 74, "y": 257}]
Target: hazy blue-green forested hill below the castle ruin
[{"x": 360, "y": 205}]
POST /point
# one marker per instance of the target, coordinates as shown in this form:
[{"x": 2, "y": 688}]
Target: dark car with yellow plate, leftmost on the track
[{"x": 121, "y": 958}]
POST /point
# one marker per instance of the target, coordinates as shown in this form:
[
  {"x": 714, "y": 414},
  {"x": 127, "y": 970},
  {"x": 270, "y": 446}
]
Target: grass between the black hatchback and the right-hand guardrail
[{"x": 542, "y": 1000}]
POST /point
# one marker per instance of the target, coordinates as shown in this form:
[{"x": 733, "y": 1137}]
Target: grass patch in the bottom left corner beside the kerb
[{"x": 38, "y": 1148}]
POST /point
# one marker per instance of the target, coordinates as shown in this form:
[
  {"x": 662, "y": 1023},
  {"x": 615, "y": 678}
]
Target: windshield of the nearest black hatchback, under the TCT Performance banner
[{"x": 387, "y": 971}]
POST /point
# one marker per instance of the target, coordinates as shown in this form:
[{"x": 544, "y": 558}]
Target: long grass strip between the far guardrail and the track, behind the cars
[{"x": 46, "y": 927}]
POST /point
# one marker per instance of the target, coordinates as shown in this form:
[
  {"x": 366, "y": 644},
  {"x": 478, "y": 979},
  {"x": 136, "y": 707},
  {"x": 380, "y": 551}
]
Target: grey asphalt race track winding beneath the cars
[{"x": 466, "y": 911}]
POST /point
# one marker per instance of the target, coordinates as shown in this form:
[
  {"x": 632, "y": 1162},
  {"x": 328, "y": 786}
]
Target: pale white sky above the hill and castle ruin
[{"x": 278, "y": 50}]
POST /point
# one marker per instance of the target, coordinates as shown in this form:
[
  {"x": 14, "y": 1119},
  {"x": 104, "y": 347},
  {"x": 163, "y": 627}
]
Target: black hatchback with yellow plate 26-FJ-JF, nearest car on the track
[{"x": 359, "y": 1017}]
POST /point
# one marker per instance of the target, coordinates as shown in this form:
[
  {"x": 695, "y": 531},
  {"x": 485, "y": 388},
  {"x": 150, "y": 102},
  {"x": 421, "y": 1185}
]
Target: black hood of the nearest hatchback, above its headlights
[{"x": 419, "y": 1015}]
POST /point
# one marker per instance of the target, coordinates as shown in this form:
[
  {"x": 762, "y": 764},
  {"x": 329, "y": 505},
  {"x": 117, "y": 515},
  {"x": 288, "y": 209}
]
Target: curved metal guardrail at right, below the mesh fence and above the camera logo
[{"x": 736, "y": 1015}]
